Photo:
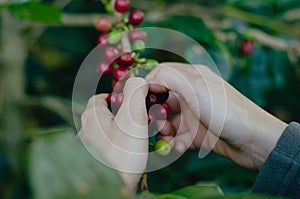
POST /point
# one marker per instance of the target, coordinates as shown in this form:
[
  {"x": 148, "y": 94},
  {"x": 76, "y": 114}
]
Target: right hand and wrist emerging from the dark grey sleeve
[{"x": 247, "y": 133}]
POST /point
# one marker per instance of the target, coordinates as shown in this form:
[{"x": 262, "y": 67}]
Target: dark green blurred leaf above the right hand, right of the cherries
[{"x": 191, "y": 26}]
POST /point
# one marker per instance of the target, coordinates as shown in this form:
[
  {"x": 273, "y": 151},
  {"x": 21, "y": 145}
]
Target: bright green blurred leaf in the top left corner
[{"x": 36, "y": 12}]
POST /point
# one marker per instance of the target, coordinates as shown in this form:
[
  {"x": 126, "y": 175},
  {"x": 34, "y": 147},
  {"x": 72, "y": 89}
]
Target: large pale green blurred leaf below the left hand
[{"x": 60, "y": 167}]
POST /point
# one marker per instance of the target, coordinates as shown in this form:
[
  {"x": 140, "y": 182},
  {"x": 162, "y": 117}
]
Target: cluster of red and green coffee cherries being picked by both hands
[{"x": 121, "y": 62}]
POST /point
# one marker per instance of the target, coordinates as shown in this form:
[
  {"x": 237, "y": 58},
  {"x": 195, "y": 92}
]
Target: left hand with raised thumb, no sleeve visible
[{"x": 123, "y": 139}]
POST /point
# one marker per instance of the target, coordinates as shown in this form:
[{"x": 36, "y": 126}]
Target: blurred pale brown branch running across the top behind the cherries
[{"x": 157, "y": 16}]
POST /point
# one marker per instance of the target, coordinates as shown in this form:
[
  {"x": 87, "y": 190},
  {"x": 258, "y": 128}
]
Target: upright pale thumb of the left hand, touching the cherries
[{"x": 132, "y": 115}]
